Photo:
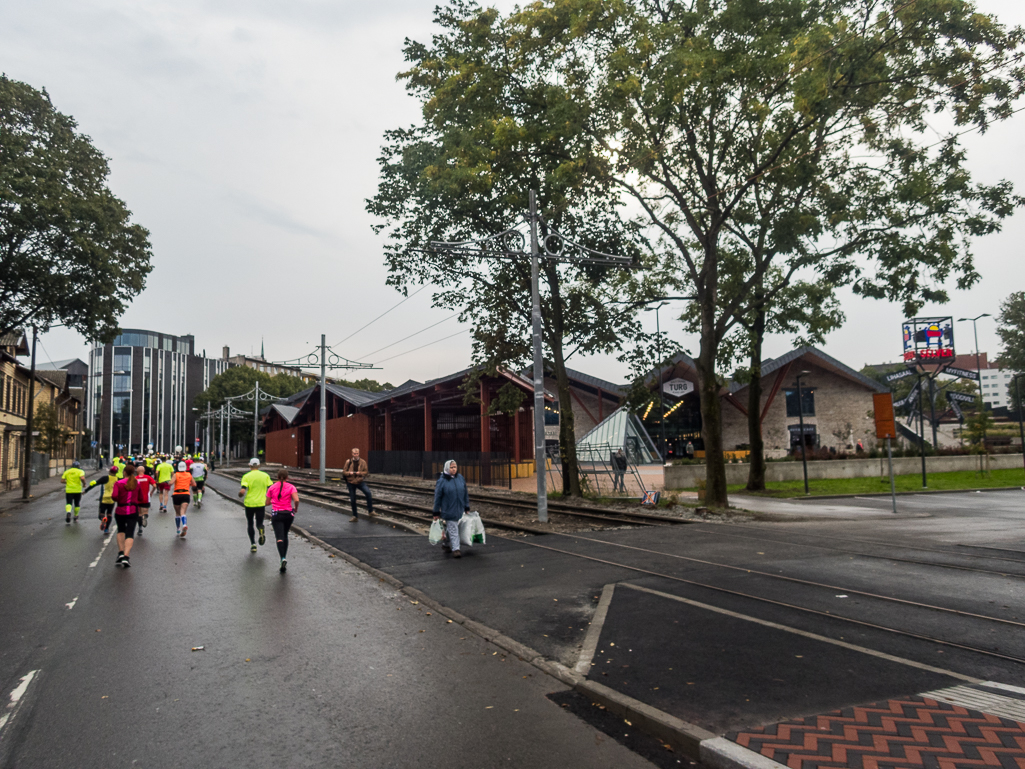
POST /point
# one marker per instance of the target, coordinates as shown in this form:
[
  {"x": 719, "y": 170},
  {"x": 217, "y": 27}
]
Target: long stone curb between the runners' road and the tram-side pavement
[{"x": 688, "y": 739}]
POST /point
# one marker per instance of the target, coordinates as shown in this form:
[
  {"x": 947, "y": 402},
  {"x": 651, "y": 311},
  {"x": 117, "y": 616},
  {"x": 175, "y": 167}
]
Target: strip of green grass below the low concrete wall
[{"x": 937, "y": 482}]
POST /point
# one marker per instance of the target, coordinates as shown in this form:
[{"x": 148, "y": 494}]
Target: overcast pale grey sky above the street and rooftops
[{"x": 244, "y": 136}]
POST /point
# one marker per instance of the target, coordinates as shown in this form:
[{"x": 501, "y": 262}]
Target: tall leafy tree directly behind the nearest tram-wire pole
[{"x": 491, "y": 133}]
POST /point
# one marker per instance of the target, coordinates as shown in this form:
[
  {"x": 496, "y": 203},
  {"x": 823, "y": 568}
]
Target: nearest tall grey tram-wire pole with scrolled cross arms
[{"x": 554, "y": 248}]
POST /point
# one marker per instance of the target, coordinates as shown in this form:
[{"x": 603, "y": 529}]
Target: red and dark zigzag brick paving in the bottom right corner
[{"x": 910, "y": 733}]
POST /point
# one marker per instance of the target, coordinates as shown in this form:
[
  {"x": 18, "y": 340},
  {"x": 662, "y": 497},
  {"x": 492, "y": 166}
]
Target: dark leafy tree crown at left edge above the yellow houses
[{"x": 69, "y": 253}]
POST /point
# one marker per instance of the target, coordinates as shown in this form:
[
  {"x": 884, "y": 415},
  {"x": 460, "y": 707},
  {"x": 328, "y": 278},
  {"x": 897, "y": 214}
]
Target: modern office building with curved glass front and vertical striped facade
[{"x": 142, "y": 389}]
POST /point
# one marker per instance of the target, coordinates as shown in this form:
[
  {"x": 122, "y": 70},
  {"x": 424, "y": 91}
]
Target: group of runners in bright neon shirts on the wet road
[{"x": 133, "y": 481}]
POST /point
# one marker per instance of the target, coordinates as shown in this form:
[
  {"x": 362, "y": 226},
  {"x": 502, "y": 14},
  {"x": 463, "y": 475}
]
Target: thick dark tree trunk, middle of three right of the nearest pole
[{"x": 712, "y": 409}]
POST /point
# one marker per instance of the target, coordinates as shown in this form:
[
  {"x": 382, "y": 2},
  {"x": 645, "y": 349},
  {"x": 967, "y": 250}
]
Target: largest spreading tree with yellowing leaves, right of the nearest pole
[{"x": 798, "y": 132}]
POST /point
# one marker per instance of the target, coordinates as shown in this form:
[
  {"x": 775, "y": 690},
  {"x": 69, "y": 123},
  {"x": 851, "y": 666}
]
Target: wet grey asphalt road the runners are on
[{"x": 321, "y": 667}]
